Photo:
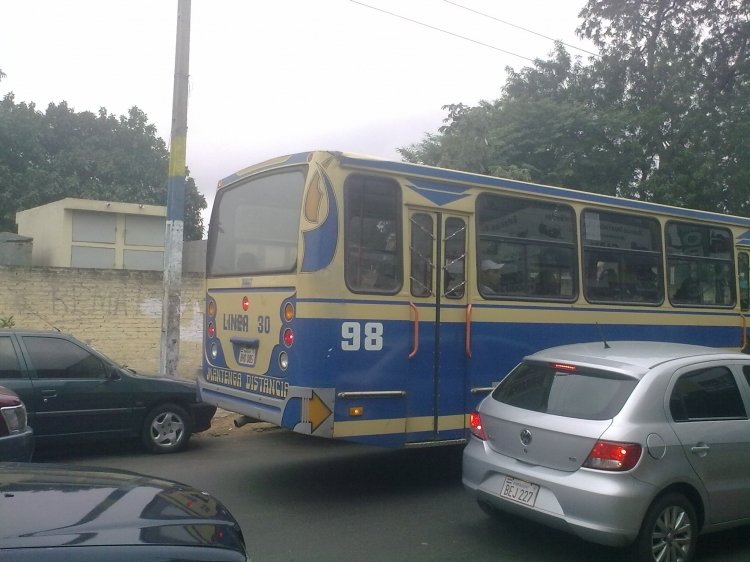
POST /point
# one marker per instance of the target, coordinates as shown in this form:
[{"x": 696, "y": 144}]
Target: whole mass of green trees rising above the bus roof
[{"x": 662, "y": 114}]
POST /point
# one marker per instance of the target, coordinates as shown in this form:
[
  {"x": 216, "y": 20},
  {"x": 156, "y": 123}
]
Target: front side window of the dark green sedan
[{"x": 54, "y": 358}]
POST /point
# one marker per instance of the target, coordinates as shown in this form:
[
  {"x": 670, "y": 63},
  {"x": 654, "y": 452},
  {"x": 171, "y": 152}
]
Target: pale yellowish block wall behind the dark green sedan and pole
[{"x": 118, "y": 312}]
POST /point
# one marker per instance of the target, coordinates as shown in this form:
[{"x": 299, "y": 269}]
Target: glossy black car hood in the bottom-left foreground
[{"x": 47, "y": 505}]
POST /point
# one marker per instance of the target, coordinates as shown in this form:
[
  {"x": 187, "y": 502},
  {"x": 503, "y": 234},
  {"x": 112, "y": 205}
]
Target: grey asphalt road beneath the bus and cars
[{"x": 304, "y": 499}]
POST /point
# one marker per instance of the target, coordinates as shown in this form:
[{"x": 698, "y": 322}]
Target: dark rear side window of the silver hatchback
[{"x": 706, "y": 394}]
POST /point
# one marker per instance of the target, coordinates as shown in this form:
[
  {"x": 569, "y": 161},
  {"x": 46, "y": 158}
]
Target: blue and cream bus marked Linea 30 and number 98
[{"x": 374, "y": 301}]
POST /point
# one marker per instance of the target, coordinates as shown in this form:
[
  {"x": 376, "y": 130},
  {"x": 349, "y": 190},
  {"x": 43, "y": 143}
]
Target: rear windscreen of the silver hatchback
[{"x": 569, "y": 392}]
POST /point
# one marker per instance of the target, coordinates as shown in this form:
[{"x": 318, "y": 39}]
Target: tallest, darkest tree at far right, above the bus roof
[{"x": 685, "y": 81}]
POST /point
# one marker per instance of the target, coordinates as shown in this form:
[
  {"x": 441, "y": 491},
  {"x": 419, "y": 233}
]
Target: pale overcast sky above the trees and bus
[{"x": 276, "y": 77}]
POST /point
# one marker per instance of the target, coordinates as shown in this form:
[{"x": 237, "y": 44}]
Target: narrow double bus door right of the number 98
[{"x": 438, "y": 359}]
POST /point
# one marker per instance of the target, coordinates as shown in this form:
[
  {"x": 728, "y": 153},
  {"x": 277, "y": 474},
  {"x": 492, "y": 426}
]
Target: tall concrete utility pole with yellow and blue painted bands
[{"x": 170, "y": 315}]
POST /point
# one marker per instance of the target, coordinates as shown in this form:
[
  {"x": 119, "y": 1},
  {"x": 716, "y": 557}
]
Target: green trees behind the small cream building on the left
[{"x": 48, "y": 156}]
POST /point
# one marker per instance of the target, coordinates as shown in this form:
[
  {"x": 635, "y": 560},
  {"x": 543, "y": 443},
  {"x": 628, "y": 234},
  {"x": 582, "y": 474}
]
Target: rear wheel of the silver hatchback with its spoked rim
[{"x": 669, "y": 531}]
